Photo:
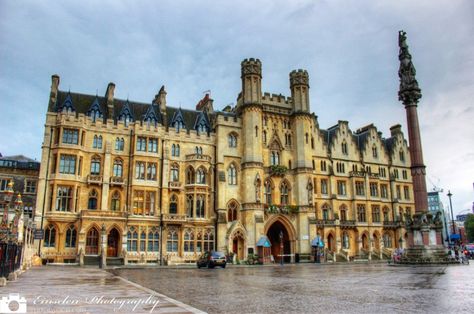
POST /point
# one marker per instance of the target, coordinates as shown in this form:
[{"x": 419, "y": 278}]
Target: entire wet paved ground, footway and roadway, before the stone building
[{"x": 305, "y": 288}]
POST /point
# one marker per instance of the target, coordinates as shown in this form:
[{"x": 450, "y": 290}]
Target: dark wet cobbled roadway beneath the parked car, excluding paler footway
[{"x": 310, "y": 288}]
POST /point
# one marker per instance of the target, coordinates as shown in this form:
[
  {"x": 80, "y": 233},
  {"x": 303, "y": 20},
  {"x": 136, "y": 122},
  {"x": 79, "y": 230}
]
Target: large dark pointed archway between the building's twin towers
[{"x": 275, "y": 229}]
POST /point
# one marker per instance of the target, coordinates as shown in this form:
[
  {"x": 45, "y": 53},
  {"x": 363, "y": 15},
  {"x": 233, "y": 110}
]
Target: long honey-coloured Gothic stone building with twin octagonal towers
[{"x": 145, "y": 183}]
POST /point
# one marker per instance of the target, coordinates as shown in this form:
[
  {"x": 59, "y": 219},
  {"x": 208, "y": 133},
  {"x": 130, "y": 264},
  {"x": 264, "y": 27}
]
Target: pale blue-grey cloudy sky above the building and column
[{"x": 349, "y": 48}]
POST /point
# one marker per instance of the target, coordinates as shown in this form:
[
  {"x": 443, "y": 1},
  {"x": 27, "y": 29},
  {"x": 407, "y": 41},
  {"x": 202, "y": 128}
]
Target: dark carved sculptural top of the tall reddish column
[{"x": 409, "y": 92}]
